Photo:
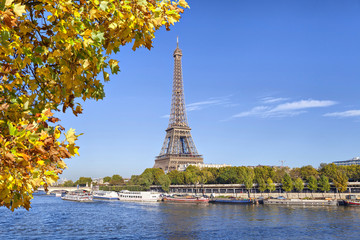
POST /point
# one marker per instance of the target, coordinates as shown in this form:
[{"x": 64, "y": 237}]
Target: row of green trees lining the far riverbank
[{"x": 265, "y": 177}]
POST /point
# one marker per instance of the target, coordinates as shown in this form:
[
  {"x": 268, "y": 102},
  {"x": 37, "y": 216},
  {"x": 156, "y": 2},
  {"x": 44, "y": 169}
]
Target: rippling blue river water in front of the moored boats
[{"x": 53, "y": 218}]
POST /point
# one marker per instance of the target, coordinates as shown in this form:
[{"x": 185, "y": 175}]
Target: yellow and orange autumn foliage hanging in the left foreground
[{"x": 54, "y": 54}]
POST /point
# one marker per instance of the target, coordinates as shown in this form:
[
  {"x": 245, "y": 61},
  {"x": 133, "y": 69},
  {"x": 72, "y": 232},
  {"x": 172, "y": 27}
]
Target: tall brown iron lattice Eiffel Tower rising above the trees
[{"x": 178, "y": 147}]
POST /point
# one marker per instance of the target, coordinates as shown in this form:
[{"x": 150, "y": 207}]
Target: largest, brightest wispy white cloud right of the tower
[{"x": 285, "y": 109}]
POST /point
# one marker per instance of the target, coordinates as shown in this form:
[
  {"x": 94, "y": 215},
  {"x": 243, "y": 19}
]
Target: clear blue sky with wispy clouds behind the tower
[{"x": 265, "y": 81}]
